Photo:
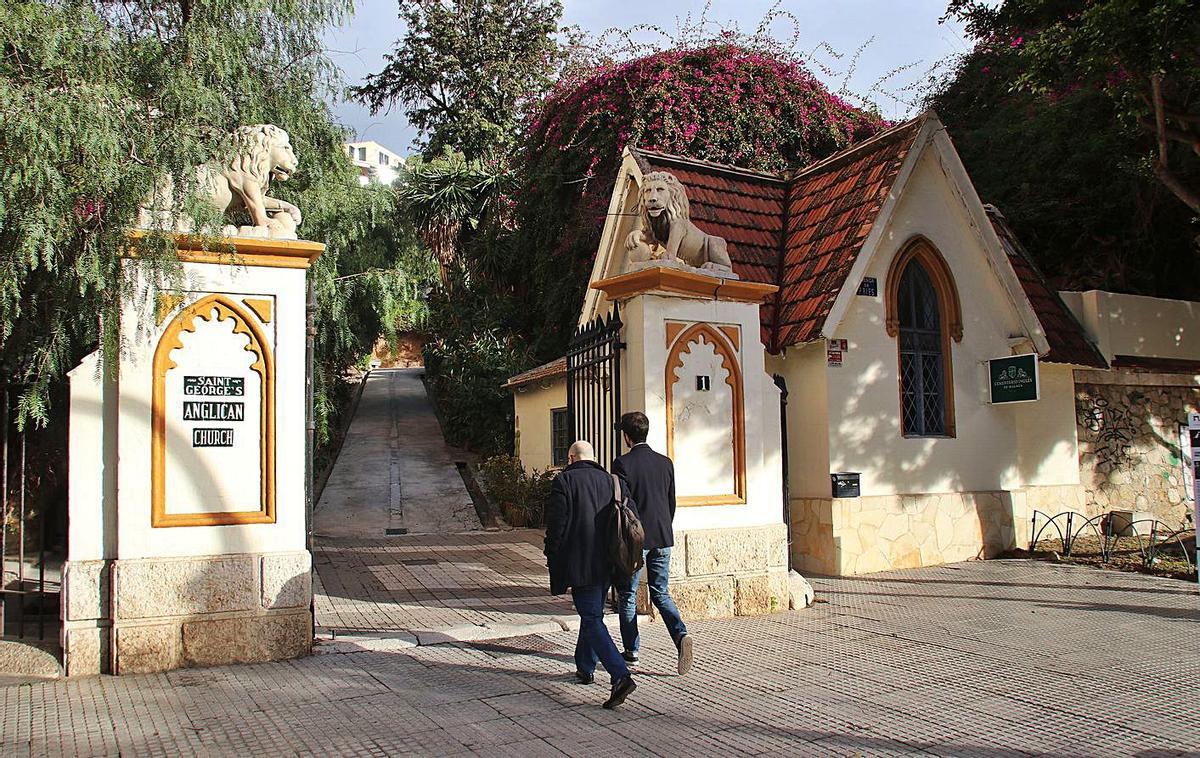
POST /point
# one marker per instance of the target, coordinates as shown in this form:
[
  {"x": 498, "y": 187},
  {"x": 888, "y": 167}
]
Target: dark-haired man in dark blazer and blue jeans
[{"x": 650, "y": 479}]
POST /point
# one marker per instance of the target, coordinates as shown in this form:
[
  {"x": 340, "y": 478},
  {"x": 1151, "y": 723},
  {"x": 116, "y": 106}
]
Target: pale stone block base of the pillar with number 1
[{"x": 725, "y": 573}]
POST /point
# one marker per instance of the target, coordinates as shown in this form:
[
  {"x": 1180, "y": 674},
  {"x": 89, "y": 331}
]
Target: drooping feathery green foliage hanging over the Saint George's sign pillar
[{"x": 101, "y": 100}]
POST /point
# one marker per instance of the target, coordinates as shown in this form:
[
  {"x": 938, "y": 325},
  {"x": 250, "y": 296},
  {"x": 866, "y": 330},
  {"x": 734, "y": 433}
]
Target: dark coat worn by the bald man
[{"x": 579, "y": 509}]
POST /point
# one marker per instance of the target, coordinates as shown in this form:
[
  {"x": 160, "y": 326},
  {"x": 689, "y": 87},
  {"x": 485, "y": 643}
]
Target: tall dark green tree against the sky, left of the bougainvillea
[{"x": 466, "y": 68}]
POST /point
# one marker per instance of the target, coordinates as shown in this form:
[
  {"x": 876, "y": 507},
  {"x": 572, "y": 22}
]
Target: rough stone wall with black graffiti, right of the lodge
[{"x": 1130, "y": 448}]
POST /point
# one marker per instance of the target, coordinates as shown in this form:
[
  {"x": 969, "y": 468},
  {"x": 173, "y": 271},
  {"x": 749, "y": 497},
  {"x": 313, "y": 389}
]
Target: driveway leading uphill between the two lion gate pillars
[{"x": 400, "y": 552}]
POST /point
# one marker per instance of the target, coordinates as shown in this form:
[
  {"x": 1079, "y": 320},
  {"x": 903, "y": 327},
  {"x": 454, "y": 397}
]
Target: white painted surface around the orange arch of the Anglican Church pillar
[{"x": 136, "y": 537}]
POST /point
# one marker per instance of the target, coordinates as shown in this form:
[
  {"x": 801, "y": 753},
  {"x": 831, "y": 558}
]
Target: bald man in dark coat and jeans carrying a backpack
[{"x": 578, "y": 520}]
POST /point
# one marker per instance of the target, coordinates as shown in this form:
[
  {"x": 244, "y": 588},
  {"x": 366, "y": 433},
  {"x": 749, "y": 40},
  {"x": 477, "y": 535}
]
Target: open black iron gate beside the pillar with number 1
[{"x": 593, "y": 386}]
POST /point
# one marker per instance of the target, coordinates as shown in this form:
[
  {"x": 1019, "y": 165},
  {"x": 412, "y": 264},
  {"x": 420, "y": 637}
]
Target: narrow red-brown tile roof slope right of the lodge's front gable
[{"x": 1069, "y": 341}]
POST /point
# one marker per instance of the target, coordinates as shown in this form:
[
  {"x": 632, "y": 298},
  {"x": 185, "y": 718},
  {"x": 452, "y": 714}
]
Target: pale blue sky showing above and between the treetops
[{"x": 897, "y": 34}]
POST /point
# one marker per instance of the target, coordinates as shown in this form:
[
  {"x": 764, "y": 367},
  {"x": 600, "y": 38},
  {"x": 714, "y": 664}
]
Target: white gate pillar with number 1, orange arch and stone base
[{"x": 695, "y": 365}]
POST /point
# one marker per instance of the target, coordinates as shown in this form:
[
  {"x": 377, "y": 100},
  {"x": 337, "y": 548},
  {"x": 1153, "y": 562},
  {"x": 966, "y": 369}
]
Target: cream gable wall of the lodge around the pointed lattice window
[{"x": 997, "y": 447}]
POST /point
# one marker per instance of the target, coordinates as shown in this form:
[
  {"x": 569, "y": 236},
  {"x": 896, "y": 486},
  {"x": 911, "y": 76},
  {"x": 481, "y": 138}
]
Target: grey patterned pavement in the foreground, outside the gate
[{"x": 983, "y": 659}]
